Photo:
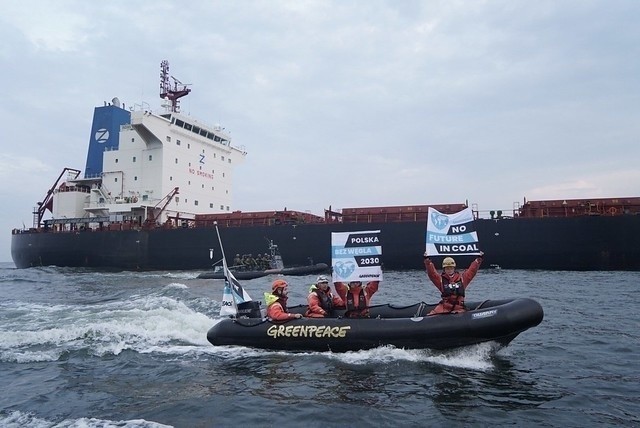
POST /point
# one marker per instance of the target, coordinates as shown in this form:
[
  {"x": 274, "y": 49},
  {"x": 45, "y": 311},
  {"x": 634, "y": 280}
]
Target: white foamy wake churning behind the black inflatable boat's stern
[{"x": 143, "y": 324}]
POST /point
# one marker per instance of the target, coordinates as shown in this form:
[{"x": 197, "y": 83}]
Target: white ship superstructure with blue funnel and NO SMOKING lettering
[{"x": 146, "y": 169}]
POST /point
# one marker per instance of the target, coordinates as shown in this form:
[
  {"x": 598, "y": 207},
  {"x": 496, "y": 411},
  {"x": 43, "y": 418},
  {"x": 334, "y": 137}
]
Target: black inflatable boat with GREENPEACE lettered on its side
[{"x": 406, "y": 327}]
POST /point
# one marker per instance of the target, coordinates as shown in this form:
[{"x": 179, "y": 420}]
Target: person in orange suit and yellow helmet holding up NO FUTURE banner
[{"x": 451, "y": 283}]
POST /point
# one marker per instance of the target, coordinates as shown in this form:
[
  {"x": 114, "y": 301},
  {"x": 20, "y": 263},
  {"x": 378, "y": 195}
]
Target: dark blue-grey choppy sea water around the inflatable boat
[{"x": 82, "y": 348}]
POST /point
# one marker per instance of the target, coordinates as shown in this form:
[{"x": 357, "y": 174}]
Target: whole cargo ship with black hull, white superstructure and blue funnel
[{"x": 156, "y": 185}]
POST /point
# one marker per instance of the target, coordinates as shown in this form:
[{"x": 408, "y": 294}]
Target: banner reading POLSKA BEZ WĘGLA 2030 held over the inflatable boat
[{"x": 356, "y": 256}]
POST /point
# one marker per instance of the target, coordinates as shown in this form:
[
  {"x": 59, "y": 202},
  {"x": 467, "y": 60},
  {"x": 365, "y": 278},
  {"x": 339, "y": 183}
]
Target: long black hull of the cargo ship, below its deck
[{"x": 572, "y": 243}]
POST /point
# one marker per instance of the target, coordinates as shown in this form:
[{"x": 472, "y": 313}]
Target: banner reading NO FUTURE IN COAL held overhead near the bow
[{"x": 451, "y": 234}]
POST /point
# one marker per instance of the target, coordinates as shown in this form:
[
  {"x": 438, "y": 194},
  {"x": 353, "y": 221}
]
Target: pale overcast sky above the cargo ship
[{"x": 339, "y": 103}]
